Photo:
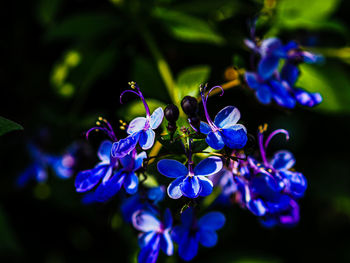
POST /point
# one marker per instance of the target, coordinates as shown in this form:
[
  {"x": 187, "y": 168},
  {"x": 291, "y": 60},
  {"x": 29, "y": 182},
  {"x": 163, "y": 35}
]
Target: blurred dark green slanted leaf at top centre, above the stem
[{"x": 188, "y": 28}]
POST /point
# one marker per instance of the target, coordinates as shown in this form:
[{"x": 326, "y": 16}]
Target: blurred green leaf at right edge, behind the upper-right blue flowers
[{"x": 331, "y": 81}]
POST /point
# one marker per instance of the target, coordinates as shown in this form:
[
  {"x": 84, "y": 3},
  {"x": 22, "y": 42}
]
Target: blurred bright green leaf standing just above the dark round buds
[{"x": 188, "y": 81}]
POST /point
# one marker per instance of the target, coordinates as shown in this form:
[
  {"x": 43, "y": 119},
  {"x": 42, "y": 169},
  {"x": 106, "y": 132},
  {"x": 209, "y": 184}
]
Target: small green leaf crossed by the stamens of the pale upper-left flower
[{"x": 137, "y": 109}]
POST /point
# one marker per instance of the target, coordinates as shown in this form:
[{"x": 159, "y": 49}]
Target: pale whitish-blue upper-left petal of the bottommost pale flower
[{"x": 145, "y": 221}]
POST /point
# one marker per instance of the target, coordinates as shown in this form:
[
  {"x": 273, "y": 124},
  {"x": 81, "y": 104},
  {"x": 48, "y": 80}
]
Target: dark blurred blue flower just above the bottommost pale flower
[{"x": 146, "y": 200}]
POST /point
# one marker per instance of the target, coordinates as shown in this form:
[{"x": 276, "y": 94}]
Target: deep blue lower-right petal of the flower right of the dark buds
[{"x": 235, "y": 137}]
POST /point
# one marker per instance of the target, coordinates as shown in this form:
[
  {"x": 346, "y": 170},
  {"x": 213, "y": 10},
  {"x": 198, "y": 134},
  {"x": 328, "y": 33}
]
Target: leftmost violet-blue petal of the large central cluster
[{"x": 86, "y": 180}]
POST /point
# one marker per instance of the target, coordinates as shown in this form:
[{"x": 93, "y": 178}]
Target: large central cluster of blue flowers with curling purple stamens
[{"x": 269, "y": 188}]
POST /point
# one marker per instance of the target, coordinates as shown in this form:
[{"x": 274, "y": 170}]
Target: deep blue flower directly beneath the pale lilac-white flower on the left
[{"x": 125, "y": 176}]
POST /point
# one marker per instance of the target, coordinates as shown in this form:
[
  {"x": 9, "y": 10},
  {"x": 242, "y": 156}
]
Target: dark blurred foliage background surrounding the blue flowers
[{"x": 48, "y": 223}]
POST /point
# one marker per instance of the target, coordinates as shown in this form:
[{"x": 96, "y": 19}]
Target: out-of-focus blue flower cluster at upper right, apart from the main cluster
[{"x": 271, "y": 83}]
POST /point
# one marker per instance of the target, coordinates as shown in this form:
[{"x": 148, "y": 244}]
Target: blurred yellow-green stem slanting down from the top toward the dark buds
[{"x": 162, "y": 65}]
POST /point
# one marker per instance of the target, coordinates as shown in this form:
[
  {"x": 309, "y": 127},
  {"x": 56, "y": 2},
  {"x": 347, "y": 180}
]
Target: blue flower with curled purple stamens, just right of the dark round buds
[{"x": 224, "y": 130}]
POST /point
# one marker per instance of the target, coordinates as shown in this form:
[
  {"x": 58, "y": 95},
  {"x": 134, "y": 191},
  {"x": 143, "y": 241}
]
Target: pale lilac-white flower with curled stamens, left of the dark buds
[{"x": 140, "y": 129}]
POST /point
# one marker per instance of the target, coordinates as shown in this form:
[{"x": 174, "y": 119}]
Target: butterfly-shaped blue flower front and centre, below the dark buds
[{"x": 190, "y": 182}]
